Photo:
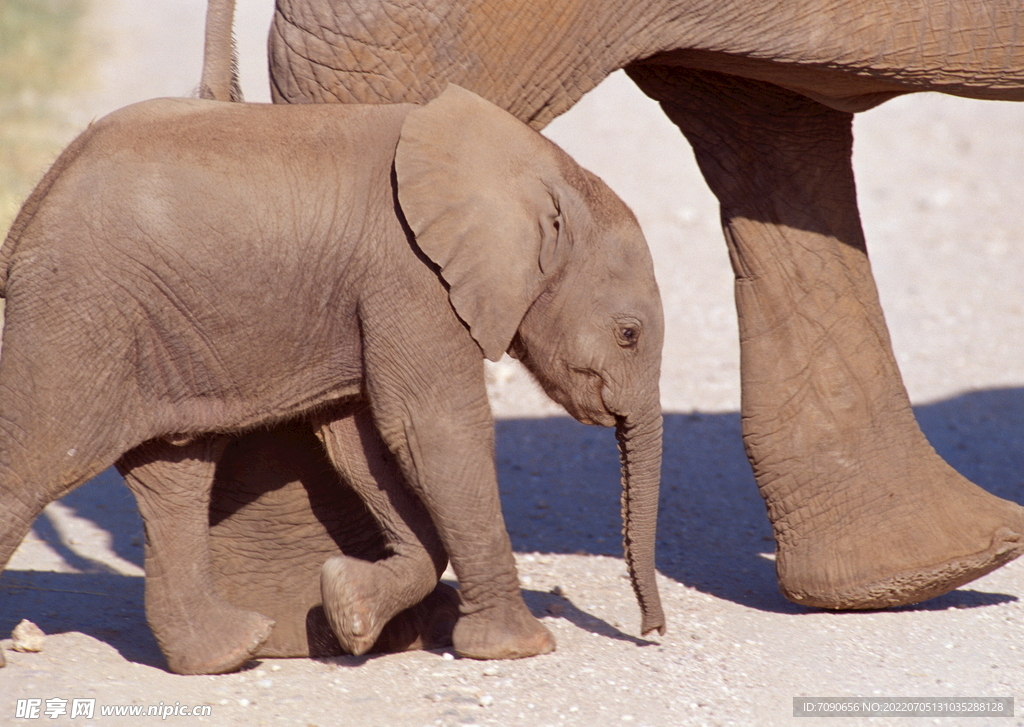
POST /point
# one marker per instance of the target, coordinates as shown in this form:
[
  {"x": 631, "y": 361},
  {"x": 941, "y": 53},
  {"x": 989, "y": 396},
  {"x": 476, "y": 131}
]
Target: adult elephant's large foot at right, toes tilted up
[{"x": 910, "y": 537}]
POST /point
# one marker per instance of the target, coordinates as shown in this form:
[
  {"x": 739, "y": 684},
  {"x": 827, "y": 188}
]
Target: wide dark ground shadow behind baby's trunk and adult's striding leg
[{"x": 561, "y": 492}]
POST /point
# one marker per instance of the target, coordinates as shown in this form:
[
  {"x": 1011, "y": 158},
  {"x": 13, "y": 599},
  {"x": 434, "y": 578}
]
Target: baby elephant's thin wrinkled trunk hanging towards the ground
[{"x": 639, "y": 437}]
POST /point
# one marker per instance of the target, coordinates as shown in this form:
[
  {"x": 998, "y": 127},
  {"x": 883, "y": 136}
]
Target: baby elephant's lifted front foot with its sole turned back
[{"x": 356, "y": 607}]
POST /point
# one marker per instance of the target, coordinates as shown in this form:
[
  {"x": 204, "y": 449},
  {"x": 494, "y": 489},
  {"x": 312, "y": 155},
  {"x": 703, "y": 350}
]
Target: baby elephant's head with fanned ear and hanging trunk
[{"x": 544, "y": 262}]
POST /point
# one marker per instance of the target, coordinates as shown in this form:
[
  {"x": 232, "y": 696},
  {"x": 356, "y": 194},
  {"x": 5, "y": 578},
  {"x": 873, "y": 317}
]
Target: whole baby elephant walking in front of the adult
[{"x": 193, "y": 269}]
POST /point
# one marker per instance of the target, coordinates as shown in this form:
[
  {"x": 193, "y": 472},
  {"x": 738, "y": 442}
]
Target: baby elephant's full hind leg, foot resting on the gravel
[{"x": 199, "y": 632}]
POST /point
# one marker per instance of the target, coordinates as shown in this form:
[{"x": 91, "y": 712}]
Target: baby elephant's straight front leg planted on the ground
[{"x": 424, "y": 378}]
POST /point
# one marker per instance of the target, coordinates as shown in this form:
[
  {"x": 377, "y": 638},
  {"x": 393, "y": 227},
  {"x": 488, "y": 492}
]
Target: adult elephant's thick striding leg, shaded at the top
[{"x": 866, "y": 514}]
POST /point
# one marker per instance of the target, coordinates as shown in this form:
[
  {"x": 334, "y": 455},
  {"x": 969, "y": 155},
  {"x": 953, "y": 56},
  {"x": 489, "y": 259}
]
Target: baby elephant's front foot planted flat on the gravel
[{"x": 506, "y": 631}]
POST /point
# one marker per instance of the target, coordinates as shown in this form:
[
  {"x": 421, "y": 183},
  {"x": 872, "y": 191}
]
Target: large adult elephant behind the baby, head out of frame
[{"x": 866, "y": 515}]
